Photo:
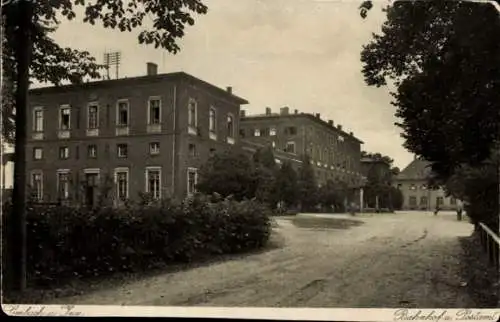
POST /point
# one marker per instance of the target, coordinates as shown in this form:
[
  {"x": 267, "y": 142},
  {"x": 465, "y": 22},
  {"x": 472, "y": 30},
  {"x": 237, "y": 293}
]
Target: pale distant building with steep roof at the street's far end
[{"x": 412, "y": 181}]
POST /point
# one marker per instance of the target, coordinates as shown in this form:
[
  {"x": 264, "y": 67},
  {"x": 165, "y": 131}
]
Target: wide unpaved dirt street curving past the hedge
[{"x": 392, "y": 260}]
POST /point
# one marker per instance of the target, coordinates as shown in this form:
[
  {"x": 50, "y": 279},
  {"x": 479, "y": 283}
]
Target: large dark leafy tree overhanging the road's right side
[{"x": 444, "y": 59}]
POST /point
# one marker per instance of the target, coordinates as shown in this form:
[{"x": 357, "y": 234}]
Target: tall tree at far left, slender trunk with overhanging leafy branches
[{"x": 29, "y": 51}]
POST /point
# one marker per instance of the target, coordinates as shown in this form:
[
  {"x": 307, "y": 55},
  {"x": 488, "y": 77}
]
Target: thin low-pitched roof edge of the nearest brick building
[{"x": 138, "y": 79}]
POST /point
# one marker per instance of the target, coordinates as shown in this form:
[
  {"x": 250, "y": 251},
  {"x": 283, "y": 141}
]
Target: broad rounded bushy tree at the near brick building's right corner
[{"x": 228, "y": 173}]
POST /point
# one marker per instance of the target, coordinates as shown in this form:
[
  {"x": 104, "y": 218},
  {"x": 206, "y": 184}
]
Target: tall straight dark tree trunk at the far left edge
[{"x": 23, "y": 57}]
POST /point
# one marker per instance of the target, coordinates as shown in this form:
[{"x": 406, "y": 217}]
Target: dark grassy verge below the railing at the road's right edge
[{"x": 480, "y": 276}]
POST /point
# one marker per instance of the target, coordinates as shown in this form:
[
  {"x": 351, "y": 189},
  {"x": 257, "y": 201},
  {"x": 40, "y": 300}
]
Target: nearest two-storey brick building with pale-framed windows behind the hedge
[{"x": 143, "y": 134}]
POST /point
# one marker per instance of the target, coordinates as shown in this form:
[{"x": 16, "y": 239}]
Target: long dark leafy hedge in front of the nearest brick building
[{"x": 66, "y": 242}]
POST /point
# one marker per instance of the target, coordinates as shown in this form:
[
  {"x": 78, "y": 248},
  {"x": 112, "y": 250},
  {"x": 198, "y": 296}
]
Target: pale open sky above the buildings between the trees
[{"x": 304, "y": 54}]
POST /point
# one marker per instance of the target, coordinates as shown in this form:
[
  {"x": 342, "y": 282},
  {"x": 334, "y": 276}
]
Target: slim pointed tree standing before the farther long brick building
[{"x": 307, "y": 186}]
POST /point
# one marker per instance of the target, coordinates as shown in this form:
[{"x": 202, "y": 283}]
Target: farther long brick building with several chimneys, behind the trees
[{"x": 334, "y": 153}]
